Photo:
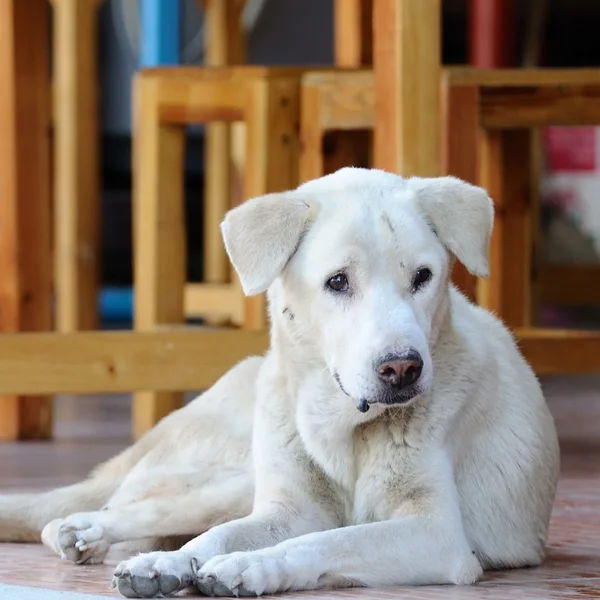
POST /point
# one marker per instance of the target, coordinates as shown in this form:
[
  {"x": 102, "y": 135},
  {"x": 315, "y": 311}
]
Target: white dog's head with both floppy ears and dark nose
[{"x": 358, "y": 264}]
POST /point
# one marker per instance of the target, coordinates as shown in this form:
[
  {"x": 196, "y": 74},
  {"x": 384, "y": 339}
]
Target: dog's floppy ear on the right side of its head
[{"x": 462, "y": 216}]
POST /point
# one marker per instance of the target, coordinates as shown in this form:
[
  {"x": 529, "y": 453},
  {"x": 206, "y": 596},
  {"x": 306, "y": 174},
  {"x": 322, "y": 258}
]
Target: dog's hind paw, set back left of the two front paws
[{"x": 77, "y": 538}]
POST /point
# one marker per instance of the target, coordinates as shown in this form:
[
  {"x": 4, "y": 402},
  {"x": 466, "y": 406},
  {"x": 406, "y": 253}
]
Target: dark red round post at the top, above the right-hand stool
[{"x": 491, "y": 33}]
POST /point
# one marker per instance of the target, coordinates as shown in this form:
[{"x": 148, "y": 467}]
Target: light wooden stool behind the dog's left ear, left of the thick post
[{"x": 166, "y": 100}]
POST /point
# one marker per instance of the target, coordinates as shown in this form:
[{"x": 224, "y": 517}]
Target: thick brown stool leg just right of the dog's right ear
[{"x": 505, "y": 171}]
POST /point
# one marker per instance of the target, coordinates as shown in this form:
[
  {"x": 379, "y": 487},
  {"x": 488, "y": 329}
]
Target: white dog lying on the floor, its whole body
[{"x": 393, "y": 434}]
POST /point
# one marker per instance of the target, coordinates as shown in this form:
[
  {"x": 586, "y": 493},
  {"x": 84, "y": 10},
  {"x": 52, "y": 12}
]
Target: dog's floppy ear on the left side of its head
[{"x": 262, "y": 234}]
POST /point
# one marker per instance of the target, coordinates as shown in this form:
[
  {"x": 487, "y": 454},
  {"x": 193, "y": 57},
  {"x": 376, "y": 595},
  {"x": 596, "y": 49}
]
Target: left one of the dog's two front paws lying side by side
[{"x": 154, "y": 574}]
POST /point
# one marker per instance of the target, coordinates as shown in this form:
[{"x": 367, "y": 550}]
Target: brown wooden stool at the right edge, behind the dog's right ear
[{"x": 489, "y": 115}]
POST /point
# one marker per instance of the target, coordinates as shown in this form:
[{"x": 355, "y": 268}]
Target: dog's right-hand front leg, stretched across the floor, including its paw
[{"x": 424, "y": 547}]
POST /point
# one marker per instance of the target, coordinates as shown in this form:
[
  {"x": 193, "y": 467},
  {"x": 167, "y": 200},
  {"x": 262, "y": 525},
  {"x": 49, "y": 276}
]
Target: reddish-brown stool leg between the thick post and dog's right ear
[{"x": 460, "y": 143}]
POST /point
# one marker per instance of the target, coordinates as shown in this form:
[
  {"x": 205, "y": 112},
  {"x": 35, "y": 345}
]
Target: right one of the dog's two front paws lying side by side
[{"x": 249, "y": 574}]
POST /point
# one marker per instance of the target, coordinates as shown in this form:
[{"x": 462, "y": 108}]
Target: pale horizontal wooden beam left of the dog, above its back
[{"x": 107, "y": 362}]
